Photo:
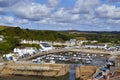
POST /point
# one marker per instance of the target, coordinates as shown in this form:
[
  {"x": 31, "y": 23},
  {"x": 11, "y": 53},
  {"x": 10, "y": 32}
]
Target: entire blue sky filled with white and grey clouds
[{"x": 83, "y": 15}]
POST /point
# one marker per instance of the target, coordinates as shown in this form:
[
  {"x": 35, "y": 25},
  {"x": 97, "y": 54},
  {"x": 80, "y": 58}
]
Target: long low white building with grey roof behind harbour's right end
[{"x": 97, "y": 46}]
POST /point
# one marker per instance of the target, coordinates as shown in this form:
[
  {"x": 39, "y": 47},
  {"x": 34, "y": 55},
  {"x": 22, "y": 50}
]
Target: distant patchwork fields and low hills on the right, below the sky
[{"x": 100, "y": 36}]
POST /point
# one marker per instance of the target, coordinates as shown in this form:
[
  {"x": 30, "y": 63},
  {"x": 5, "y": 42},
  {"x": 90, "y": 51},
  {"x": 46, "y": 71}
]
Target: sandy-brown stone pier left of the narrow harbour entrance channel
[{"x": 45, "y": 71}]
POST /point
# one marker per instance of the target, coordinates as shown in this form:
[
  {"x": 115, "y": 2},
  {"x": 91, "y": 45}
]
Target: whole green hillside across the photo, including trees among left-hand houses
[{"x": 14, "y": 34}]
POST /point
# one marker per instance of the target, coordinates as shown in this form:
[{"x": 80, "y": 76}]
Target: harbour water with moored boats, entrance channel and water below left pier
[{"x": 72, "y": 59}]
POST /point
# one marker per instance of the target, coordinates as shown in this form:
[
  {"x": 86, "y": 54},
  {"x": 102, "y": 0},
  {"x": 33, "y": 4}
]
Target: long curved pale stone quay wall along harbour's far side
[{"x": 90, "y": 51}]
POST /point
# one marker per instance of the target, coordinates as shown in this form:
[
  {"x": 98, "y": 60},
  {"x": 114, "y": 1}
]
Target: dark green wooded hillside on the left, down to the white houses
[{"x": 12, "y": 36}]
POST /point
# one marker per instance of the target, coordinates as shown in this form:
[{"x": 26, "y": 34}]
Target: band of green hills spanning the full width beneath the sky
[{"x": 49, "y": 35}]
